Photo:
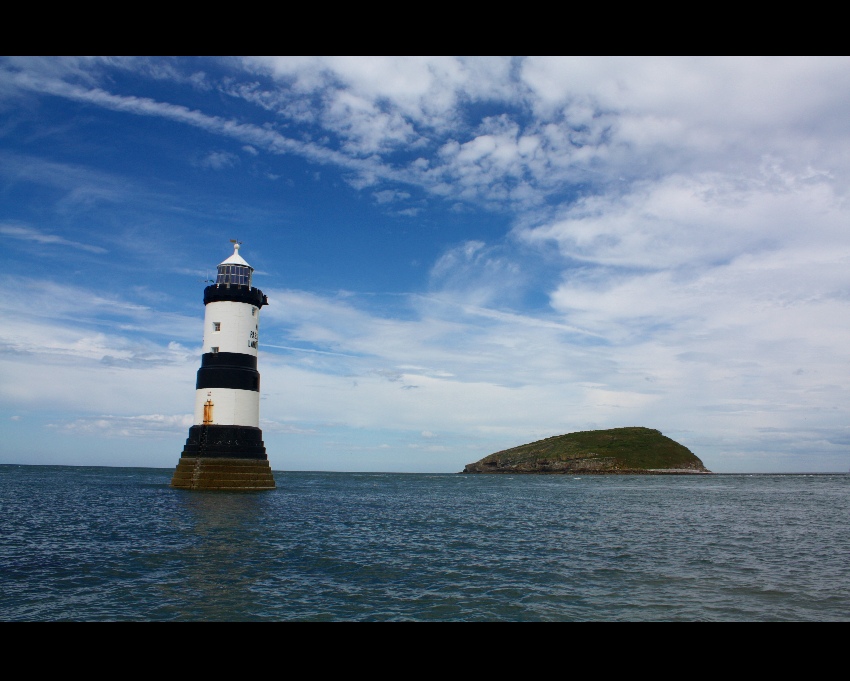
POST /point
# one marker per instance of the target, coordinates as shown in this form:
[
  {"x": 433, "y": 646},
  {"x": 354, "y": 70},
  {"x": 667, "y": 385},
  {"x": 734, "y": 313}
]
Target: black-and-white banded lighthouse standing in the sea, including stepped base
[{"x": 225, "y": 449}]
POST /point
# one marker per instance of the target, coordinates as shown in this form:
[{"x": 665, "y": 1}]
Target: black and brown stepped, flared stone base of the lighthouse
[{"x": 224, "y": 458}]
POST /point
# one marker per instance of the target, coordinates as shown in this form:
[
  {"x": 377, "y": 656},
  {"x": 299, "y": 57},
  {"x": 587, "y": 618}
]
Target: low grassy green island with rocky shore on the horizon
[{"x": 615, "y": 451}]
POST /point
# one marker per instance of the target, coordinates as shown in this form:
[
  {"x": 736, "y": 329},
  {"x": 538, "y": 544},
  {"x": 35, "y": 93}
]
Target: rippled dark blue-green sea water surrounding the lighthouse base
[{"x": 118, "y": 544}]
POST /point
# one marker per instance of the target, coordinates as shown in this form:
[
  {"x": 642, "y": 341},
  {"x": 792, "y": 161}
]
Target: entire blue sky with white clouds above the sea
[{"x": 461, "y": 254}]
